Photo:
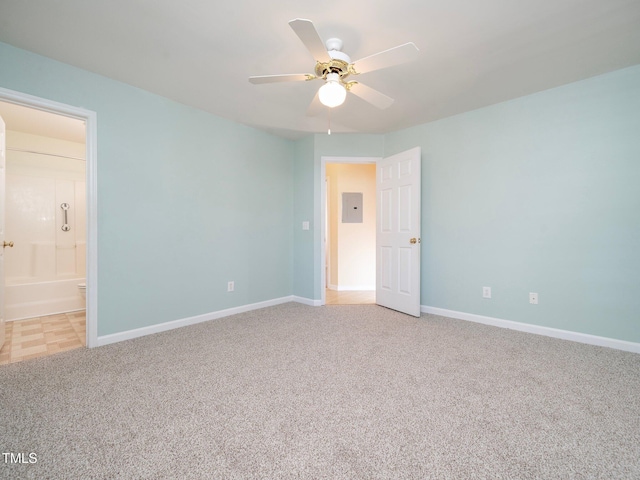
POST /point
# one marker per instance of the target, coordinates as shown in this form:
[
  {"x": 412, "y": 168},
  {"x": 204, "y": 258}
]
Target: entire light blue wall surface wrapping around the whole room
[{"x": 536, "y": 194}]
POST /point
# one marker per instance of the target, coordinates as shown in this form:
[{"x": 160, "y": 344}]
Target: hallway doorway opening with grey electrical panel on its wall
[{"x": 349, "y": 255}]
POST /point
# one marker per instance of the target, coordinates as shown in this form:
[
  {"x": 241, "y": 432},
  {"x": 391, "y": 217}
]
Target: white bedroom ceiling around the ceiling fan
[{"x": 201, "y": 52}]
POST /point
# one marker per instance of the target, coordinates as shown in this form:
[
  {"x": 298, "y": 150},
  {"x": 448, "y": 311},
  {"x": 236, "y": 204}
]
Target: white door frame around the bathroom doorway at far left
[{"x": 91, "y": 158}]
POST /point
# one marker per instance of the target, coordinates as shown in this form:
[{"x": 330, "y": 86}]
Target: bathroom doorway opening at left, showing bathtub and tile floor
[{"x": 46, "y": 223}]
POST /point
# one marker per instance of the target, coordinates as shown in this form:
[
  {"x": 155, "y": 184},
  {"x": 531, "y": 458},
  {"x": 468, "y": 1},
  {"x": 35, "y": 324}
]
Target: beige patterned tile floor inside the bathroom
[{"x": 41, "y": 336}]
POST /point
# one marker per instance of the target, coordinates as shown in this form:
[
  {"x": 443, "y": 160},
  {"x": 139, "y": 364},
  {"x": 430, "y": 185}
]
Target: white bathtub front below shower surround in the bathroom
[{"x": 25, "y": 299}]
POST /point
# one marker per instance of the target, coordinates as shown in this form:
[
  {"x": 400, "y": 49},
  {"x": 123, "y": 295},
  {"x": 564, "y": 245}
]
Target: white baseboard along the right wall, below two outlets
[{"x": 537, "y": 329}]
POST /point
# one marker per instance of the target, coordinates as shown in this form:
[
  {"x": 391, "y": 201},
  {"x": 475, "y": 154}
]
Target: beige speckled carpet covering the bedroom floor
[{"x": 334, "y": 392}]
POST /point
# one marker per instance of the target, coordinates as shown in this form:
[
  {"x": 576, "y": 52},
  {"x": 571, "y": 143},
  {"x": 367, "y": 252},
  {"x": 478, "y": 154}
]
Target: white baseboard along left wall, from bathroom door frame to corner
[{"x": 163, "y": 327}]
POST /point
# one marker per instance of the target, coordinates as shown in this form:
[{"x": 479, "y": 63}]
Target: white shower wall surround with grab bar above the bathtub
[{"x": 41, "y": 190}]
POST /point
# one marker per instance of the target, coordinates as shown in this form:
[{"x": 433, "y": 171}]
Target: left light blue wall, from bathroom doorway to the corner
[{"x": 186, "y": 200}]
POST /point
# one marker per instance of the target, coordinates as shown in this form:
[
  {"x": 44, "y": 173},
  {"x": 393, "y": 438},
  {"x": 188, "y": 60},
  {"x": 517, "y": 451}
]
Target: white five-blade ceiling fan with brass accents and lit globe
[{"x": 335, "y": 67}]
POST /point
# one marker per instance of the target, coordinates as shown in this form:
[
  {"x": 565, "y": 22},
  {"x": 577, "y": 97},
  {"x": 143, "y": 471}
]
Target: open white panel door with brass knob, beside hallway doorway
[{"x": 398, "y": 232}]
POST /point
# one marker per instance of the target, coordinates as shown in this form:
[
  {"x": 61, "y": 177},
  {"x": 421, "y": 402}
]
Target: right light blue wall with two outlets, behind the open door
[{"x": 539, "y": 194}]
